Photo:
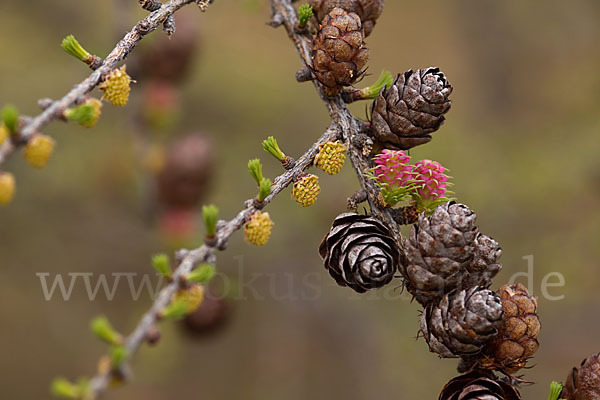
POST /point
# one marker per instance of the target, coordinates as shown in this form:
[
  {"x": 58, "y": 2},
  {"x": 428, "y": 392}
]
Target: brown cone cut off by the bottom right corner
[{"x": 583, "y": 382}]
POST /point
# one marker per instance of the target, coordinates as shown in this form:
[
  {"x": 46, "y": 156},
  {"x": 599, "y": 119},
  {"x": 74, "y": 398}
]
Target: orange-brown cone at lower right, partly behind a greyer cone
[{"x": 517, "y": 337}]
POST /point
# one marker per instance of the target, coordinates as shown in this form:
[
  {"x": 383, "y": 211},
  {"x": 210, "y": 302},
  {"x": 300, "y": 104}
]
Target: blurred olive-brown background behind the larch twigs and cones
[{"x": 521, "y": 141}]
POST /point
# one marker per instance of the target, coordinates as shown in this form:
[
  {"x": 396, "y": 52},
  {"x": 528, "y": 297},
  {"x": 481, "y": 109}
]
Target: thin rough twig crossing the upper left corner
[{"x": 119, "y": 53}]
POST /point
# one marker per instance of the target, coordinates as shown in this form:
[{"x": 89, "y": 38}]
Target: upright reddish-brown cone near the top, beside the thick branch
[{"x": 339, "y": 54}]
